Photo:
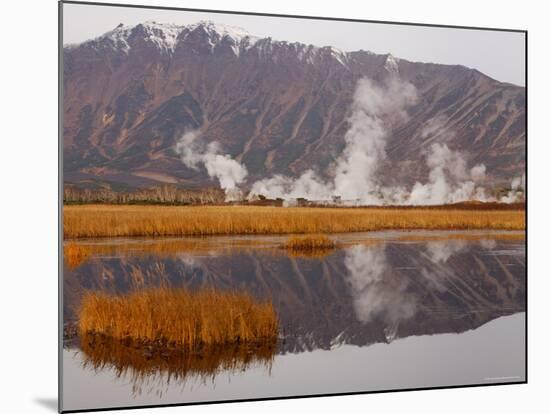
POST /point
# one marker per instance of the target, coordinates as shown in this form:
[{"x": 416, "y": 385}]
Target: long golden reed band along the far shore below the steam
[{"x": 152, "y": 221}]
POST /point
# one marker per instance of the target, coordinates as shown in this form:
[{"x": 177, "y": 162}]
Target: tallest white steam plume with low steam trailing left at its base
[{"x": 355, "y": 171}]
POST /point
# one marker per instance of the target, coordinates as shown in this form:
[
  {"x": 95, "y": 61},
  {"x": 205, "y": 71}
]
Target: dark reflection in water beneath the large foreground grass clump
[{"x": 154, "y": 370}]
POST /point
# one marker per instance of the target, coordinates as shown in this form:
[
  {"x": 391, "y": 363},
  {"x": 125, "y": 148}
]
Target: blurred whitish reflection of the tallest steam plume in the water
[{"x": 375, "y": 295}]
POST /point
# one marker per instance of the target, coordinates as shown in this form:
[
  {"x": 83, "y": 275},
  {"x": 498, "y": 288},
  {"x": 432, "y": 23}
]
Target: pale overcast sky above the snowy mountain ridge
[{"x": 500, "y": 55}]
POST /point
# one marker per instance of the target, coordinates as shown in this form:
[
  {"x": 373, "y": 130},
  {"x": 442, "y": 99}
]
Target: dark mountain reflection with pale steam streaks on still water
[{"x": 360, "y": 295}]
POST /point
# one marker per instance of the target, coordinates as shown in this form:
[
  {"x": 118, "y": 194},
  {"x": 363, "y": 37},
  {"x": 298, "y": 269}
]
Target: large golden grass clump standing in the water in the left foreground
[{"x": 178, "y": 316}]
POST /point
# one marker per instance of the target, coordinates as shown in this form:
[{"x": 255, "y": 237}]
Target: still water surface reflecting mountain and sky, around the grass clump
[{"x": 384, "y": 311}]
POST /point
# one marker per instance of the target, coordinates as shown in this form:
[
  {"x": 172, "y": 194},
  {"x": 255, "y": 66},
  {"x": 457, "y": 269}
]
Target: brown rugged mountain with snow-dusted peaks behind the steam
[{"x": 275, "y": 106}]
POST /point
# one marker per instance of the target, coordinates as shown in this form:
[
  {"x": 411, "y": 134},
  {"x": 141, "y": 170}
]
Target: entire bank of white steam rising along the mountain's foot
[{"x": 354, "y": 175}]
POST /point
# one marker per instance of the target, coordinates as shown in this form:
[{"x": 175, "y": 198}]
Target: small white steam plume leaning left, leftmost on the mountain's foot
[{"x": 226, "y": 170}]
